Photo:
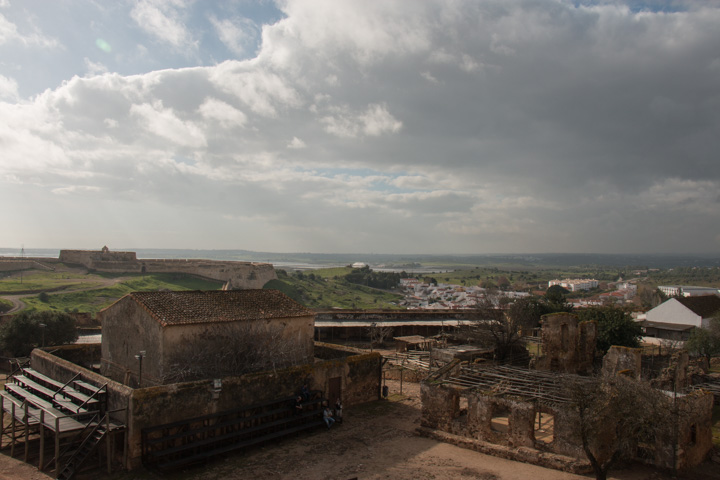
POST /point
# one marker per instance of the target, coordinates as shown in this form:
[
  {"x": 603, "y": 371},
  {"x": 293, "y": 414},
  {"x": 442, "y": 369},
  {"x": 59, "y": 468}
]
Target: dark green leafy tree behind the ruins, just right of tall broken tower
[{"x": 615, "y": 327}]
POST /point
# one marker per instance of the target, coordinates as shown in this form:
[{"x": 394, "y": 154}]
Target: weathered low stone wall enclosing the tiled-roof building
[{"x": 147, "y": 407}]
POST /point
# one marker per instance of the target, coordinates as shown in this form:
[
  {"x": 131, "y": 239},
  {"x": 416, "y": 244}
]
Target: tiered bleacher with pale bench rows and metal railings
[{"x": 74, "y": 414}]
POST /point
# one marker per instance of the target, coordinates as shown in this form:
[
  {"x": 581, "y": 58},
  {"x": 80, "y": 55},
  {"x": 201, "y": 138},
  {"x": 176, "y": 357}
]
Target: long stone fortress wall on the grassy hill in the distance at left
[{"x": 236, "y": 275}]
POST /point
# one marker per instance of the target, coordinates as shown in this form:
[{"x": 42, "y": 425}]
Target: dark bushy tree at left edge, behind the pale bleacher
[{"x": 25, "y": 331}]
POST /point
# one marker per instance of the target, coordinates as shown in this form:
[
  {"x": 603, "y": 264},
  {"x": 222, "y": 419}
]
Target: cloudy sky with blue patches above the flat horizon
[{"x": 340, "y": 126}]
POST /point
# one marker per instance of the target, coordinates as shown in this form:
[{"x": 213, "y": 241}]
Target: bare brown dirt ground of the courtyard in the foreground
[{"x": 376, "y": 441}]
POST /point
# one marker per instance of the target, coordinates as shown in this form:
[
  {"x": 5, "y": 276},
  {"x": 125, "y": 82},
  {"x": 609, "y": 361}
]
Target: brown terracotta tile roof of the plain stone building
[{"x": 178, "y": 308}]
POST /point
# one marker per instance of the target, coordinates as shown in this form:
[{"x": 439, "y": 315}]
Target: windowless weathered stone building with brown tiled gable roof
[{"x": 156, "y": 338}]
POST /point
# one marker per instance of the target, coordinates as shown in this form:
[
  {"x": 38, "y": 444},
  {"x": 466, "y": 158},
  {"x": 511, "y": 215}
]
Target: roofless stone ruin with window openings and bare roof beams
[{"x": 526, "y": 414}]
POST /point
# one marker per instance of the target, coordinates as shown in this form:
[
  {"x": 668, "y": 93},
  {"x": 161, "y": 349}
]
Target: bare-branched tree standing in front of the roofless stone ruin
[{"x": 615, "y": 415}]
